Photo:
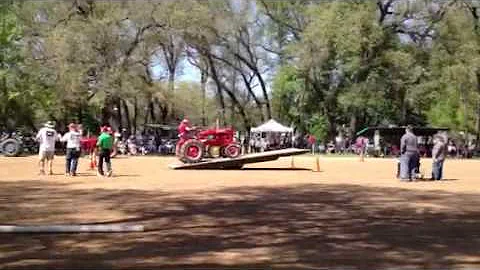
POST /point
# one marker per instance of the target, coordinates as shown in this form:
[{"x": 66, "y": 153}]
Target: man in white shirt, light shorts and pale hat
[{"x": 47, "y": 136}]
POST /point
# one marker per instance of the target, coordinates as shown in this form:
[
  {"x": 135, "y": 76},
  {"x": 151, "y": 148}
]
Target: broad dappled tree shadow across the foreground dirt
[{"x": 294, "y": 227}]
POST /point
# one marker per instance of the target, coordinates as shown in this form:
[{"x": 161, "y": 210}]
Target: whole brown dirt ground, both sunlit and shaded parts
[{"x": 351, "y": 215}]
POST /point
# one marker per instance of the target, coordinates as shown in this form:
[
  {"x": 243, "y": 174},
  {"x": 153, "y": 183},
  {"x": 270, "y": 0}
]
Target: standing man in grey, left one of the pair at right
[{"x": 409, "y": 158}]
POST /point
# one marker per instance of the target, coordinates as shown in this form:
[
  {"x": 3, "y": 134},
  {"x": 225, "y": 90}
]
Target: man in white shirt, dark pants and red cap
[{"x": 72, "y": 137}]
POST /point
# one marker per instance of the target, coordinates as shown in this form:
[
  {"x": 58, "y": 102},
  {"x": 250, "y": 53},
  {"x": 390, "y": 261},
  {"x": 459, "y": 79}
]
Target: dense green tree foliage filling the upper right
[{"x": 382, "y": 79}]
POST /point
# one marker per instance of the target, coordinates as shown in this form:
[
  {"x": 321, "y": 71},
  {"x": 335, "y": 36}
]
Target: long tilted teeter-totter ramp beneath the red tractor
[{"x": 237, "y": 163}]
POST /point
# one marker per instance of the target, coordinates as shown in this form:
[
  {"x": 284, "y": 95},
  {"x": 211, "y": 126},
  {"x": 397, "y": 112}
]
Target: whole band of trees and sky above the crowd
[{"x": 320, "y": 66}]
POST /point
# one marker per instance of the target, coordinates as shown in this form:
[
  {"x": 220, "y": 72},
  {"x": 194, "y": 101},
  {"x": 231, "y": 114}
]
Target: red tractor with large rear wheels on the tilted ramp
[{"x": 210, "y": 143}]
